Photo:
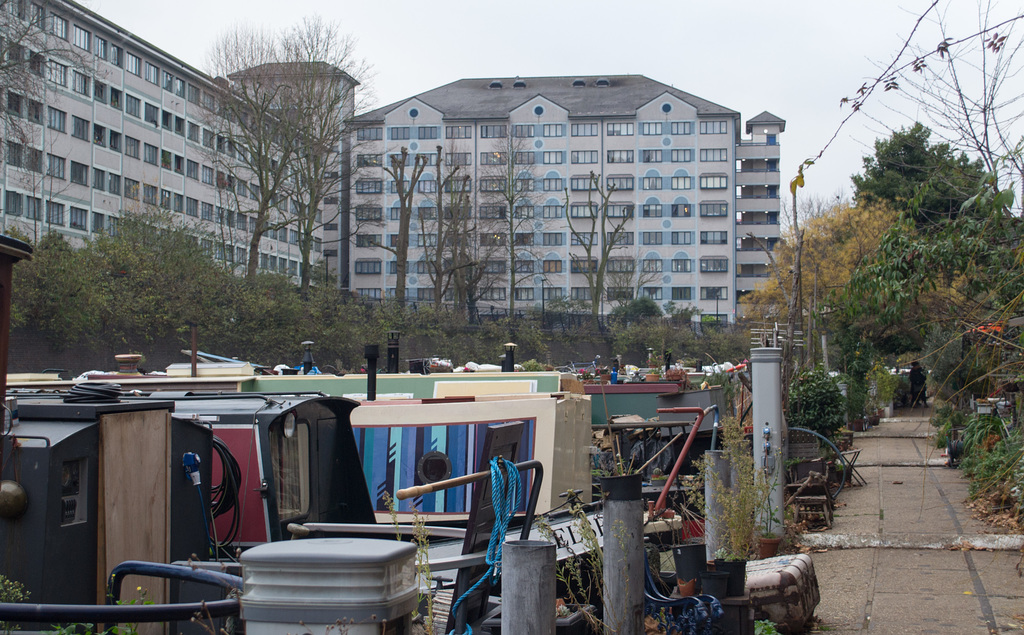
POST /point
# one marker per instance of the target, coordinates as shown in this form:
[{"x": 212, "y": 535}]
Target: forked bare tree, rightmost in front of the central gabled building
[{"x": 599, "y": 228}]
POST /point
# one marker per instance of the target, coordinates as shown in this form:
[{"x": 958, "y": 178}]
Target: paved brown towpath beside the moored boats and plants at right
[{"x": 905, "y": 555}]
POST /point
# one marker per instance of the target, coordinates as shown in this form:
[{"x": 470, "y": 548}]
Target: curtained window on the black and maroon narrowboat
[{"x": 290, "y": 467}]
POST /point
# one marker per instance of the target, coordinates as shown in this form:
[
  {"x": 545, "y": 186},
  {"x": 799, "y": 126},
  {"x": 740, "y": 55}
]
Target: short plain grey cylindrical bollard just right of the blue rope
[{"x": 529, "y": 587}]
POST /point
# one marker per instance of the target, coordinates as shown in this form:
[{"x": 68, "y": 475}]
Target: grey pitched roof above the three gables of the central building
[{"x": 474, "y": 99}]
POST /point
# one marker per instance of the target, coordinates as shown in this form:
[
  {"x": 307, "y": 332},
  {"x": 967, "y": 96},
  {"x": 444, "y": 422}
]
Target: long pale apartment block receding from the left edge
[{"x": 115, "y": 124}]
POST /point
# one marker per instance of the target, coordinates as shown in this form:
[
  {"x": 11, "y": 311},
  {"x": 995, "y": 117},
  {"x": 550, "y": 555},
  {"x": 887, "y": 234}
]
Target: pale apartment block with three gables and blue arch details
[{"x": 701, "y": 201}]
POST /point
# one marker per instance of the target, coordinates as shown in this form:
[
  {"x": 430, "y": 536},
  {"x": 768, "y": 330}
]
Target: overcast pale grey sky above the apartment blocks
[{"x": 795, "y": 59}]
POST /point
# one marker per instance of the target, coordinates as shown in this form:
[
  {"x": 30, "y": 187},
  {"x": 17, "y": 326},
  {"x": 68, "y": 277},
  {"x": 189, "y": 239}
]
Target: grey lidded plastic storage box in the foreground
[{"x": 363, "y": 587}]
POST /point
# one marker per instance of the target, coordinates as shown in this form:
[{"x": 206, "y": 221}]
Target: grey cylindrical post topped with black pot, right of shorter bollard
[{"x": 623, "y": 539}]
